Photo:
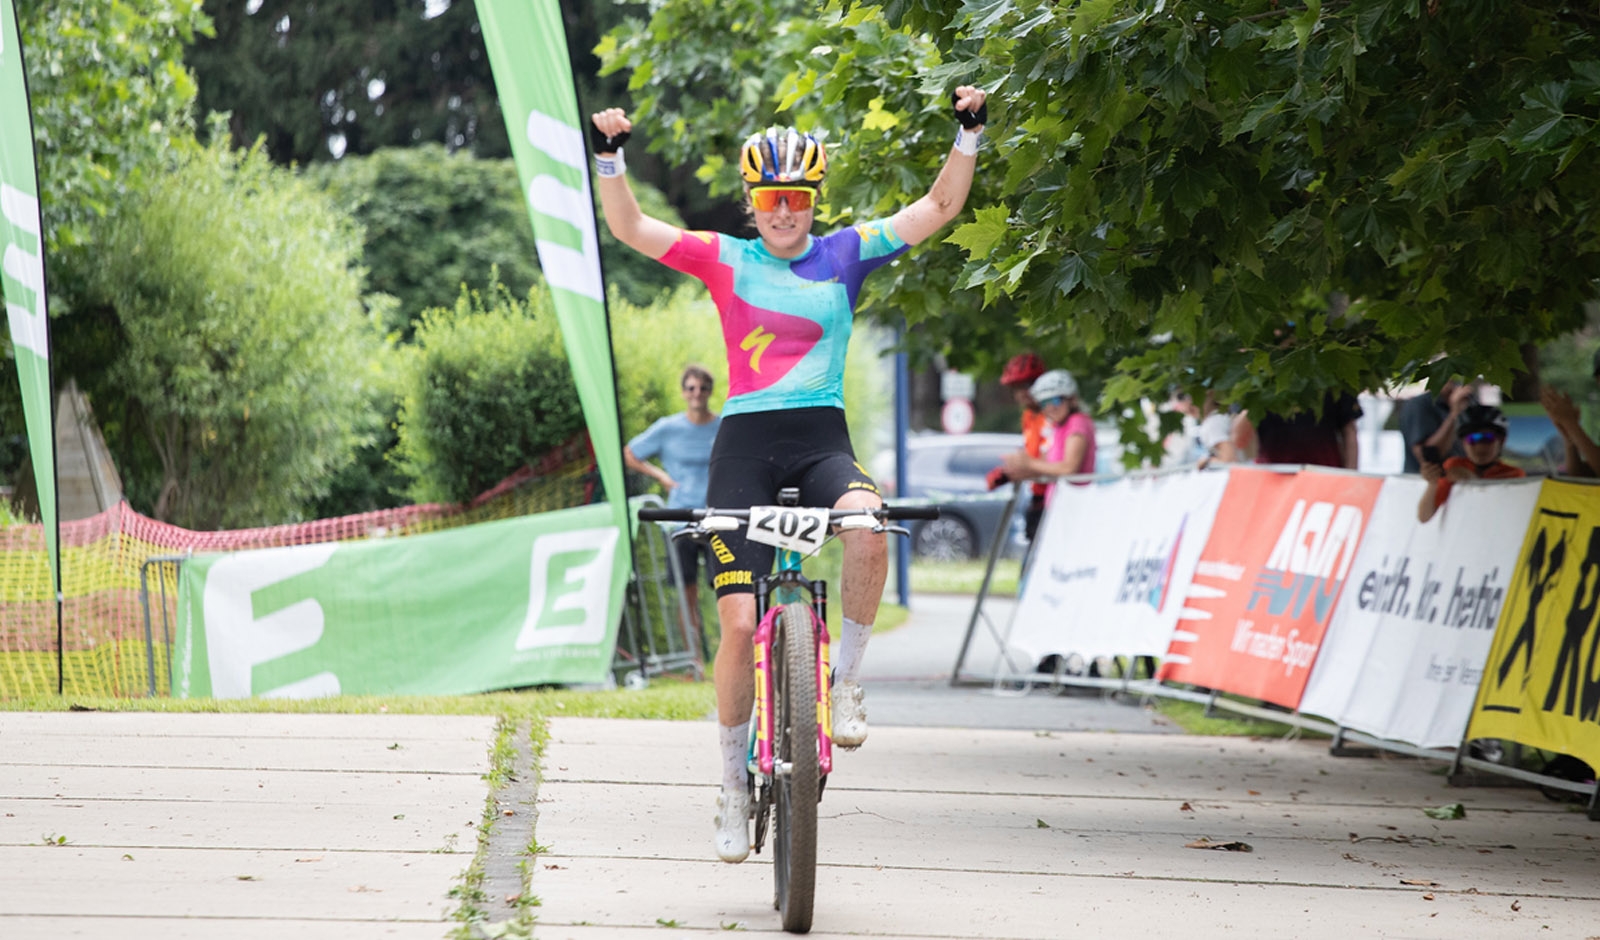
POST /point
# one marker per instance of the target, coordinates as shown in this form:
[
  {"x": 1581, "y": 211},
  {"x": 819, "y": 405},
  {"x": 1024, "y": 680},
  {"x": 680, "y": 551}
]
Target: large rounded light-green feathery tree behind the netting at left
[{"x": 249, "y": 365}]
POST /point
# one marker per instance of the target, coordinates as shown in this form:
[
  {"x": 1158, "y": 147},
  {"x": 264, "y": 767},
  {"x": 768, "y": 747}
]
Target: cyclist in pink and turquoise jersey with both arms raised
[{"x": 786, "y": 303}]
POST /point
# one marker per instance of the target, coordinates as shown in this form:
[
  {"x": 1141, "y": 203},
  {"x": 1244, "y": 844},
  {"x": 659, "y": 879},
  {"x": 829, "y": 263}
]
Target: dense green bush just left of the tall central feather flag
[{"x": 486, "y": 389}]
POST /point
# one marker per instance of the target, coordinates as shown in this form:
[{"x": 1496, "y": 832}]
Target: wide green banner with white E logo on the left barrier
[{"x": 494, "y": 607}]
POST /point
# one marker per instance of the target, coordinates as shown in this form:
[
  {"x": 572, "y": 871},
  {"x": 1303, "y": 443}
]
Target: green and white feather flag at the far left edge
[{"x": 23, "y": 282}]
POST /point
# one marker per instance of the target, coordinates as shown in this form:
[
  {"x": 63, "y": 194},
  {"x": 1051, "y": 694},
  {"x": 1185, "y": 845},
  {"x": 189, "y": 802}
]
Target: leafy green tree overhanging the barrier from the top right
[{"x": 1186, "y": 193}]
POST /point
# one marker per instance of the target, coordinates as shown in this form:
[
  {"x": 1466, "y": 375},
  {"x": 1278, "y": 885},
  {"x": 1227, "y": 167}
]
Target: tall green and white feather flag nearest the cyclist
[{"x": 534, "y": 79}]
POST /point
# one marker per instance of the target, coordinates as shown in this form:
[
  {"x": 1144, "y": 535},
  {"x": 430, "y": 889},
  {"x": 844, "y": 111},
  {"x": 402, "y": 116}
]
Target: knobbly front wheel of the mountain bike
[{"x": 794, "y": 746}]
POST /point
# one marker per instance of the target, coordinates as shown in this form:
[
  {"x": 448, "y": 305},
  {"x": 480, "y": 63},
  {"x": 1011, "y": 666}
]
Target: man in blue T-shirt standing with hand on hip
[{"x": 682, "y": 442}]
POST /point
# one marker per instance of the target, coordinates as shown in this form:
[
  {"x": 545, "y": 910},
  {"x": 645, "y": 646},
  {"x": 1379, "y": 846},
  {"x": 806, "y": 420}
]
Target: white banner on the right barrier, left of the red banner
[{"x": 1113, "y": 567}]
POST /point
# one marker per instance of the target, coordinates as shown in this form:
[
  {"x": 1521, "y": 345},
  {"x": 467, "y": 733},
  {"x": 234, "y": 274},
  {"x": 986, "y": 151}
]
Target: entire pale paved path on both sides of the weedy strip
[{"x": 969, "y": 815}]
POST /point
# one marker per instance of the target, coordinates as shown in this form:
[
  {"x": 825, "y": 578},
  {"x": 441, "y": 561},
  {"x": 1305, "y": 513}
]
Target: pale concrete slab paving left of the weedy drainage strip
[{"x": 236, "y": 827}]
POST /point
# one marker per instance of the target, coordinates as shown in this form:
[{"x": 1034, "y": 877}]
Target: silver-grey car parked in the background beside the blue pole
[{"x": 953, "y": 472}]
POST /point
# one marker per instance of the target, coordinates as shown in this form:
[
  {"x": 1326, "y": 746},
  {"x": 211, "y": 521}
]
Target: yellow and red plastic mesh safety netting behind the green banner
[{"x": 119, "y": 578}]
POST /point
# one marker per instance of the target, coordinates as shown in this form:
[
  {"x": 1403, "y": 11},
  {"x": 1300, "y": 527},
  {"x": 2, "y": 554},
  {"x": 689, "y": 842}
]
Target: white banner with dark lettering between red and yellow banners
[{"x": 1409, "y": 640}]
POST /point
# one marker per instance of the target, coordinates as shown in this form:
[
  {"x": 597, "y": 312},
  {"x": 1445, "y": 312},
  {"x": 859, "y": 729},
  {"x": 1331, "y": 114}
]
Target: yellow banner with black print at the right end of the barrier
[{"x": 1542, "y": 682}]
